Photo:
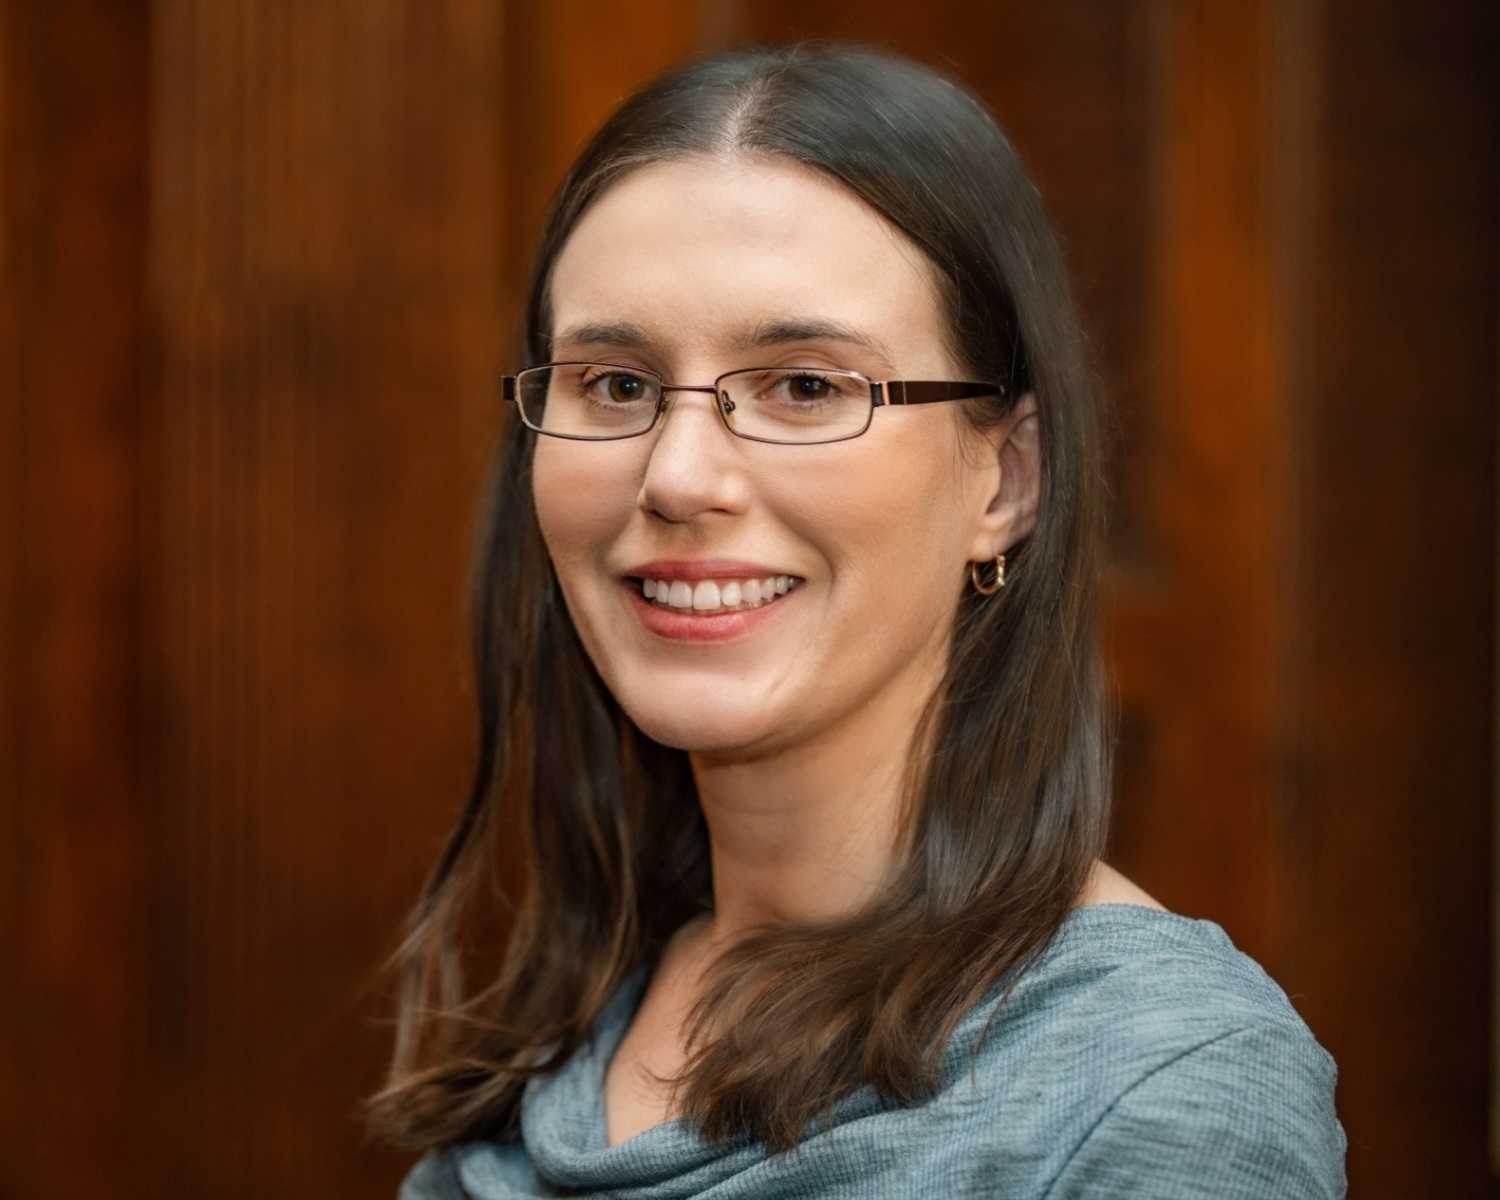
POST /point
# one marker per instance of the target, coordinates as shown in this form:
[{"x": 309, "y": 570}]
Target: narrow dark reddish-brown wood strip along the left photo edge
[{"x": 74, "y": 803}]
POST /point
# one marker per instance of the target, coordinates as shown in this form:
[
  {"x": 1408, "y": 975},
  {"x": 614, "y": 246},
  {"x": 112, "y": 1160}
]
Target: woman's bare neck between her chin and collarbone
[{"x": 814, "y": 832}]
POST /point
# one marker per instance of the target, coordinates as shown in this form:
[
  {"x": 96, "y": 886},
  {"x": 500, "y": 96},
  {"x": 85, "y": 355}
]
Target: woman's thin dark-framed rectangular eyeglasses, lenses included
[{"x": 788, "y": 406}]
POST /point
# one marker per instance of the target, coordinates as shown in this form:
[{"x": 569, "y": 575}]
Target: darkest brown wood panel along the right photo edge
[{"x": 1400, "y": 601}]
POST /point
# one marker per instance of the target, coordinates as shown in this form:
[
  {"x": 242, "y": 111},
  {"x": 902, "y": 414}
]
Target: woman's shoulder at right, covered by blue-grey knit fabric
[{"x": 1145, "y": 1055}]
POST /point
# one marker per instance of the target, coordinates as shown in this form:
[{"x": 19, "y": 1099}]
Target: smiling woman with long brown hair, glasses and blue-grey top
[{"x": 791, "y": 709}]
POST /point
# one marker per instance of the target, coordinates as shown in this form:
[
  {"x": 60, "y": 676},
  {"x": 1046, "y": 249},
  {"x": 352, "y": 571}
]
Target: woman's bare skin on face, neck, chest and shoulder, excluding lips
[{"x": 799, "y": 728}]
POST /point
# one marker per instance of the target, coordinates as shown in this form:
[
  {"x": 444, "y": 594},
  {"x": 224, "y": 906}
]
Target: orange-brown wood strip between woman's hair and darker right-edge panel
[{"x": 1201, "y": 629}]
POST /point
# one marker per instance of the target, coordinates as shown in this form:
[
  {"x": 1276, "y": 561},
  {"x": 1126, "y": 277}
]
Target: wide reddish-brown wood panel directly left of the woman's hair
[{"x": 328, "y": 214}]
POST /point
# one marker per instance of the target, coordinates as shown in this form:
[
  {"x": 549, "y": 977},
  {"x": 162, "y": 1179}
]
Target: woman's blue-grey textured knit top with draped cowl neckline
[{"x": 1144, "y": 1057}]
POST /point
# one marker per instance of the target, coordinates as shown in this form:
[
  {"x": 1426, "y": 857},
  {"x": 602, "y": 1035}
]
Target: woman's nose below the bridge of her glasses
[{"x": 692, "y": 469}]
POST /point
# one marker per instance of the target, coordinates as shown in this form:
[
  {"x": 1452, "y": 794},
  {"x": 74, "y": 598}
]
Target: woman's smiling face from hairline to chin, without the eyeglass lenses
[{"x": 694, "y": 269}]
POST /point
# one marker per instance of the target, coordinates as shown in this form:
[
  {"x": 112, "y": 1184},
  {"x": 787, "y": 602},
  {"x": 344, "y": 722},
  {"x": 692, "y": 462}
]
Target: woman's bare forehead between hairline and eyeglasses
[{"x": 698, "y": 254}]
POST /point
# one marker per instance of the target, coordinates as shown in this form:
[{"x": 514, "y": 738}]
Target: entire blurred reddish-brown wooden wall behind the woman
[{"x": 260, "y": 272}]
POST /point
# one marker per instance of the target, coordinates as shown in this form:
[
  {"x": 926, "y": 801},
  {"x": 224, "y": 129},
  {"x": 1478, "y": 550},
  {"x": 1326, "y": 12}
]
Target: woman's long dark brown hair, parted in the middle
[{"x": 1009, "y": 803}]
